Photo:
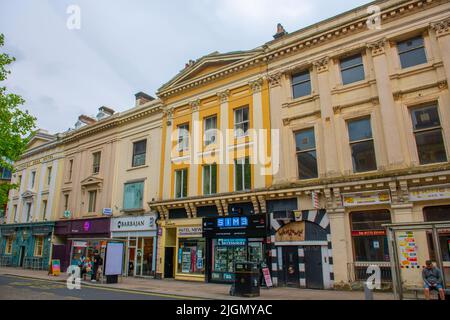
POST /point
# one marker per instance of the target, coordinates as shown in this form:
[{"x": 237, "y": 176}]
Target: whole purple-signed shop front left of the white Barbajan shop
[{"x": 76, "y": 238}]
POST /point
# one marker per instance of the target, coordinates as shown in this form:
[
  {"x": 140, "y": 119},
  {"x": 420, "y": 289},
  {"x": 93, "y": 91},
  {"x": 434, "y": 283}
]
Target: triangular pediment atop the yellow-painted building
[{"x": 207, "y": 65}]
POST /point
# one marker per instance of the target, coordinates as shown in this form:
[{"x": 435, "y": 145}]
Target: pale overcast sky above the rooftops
[{"x": 123, "y": 47}]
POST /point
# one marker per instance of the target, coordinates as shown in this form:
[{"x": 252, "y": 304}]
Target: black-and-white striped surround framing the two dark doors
[{"x": 318, "y": 217}]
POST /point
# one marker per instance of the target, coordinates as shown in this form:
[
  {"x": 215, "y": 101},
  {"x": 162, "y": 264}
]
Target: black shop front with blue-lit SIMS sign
[{"x": 231, "y": 239}]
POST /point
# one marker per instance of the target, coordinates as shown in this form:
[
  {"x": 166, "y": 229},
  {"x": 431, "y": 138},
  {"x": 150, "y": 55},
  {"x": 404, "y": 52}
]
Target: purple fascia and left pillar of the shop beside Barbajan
[{"x": 84, "y": 228}]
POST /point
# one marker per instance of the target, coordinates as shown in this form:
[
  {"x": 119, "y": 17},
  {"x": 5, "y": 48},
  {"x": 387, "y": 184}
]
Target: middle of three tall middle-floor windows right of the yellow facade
[{"x": 361, "y": 144}]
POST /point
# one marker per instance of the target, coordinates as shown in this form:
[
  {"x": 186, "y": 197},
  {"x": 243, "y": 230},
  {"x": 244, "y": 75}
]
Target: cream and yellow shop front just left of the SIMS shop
[{"x": 181, "y": 250}]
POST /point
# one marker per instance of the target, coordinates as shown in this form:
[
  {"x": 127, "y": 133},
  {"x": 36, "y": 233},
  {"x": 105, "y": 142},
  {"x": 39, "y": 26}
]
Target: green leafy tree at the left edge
[{"x": 16, "y": 126}]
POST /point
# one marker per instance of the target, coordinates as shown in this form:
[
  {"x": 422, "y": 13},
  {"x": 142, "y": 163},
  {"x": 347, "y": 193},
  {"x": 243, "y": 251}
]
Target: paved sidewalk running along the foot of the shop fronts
[{"x": 203, "y": 290}]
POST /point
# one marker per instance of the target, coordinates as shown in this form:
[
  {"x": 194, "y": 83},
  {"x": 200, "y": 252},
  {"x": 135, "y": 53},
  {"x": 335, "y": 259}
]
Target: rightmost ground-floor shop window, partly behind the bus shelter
[{"x": 438, "y": 213}]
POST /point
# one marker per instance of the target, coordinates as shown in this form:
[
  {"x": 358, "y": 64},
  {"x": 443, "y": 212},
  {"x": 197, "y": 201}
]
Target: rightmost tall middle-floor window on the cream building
[{"x": 428, "y": 133}]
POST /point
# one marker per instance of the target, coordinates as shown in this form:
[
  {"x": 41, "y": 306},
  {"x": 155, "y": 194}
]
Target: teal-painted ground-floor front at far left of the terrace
[{"x": 26, "y": 245}]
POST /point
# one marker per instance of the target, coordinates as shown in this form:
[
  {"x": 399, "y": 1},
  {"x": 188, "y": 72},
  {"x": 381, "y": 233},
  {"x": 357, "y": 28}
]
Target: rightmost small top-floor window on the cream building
[{"x": 412, "y": 52}]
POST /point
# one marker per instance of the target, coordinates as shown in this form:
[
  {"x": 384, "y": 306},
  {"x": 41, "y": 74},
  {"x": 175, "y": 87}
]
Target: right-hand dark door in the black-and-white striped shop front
[{"x": 313, "y": 267}]
